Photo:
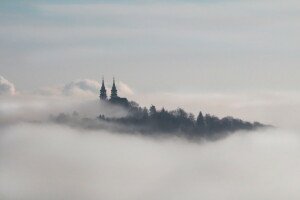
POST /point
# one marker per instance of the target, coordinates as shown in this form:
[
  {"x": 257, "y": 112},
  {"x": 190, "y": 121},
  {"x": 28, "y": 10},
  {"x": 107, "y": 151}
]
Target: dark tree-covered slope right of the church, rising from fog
[{"x": 178, "y": 122}]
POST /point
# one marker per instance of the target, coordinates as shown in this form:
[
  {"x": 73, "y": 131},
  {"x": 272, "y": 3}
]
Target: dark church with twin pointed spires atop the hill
[{"x": 114, "y": 98}]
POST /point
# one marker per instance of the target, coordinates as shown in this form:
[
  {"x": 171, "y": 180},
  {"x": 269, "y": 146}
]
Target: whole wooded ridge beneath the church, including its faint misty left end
[{"x": 154, "y": 122}]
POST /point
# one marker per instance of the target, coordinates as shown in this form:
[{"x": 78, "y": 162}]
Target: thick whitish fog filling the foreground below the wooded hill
[{"x": 48, "y": 161}]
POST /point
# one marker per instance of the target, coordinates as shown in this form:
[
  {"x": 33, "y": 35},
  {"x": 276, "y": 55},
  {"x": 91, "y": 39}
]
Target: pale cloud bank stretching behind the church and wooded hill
[{"x": 268, "y": 107}]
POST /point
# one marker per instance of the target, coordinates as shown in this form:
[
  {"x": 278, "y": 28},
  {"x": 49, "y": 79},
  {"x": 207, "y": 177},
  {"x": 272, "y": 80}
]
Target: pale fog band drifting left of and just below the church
[{"x": 39, "y": 108}]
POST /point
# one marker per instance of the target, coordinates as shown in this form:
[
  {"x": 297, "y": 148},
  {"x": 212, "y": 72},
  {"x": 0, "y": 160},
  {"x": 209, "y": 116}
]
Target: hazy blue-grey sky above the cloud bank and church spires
[{"x": 153, "y": 46}]
